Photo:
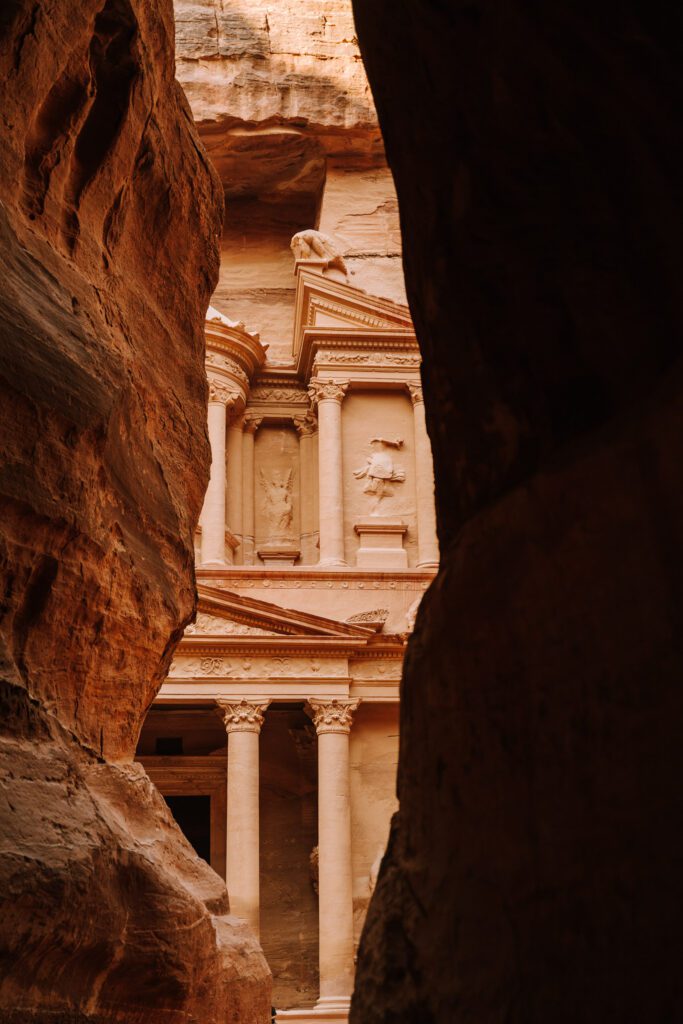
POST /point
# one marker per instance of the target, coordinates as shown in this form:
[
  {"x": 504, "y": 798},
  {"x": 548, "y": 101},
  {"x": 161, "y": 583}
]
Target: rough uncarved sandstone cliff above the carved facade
[{"x": 283, "y": 106}]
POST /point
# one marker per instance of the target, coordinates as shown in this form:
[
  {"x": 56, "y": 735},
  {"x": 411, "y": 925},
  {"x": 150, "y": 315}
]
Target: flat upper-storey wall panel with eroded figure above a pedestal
[{"x": 389, "y": 415}]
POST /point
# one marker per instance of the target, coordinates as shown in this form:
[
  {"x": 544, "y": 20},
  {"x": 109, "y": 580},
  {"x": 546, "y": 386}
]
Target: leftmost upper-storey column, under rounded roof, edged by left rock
[{"x": 214, "y": 513}]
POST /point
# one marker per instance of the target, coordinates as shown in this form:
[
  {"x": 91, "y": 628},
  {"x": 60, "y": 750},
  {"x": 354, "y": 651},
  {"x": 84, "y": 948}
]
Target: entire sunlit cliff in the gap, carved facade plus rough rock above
[{"x": 275, "y": 739}]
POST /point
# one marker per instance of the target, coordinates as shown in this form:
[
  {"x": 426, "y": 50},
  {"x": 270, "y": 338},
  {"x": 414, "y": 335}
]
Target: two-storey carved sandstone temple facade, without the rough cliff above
[{"x": 275, "y": 739}]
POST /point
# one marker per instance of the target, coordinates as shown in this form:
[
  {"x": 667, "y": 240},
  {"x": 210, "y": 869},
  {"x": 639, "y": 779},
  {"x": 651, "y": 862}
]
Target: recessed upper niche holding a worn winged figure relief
[{"x": 277, "y": 495}]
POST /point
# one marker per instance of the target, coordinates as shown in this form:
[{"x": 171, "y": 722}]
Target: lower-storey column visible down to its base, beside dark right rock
[{"x": 333, "y": 723}]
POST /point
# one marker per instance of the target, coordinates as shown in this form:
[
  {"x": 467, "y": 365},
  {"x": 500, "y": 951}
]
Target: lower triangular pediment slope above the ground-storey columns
[{"x": 225, "y": 614}]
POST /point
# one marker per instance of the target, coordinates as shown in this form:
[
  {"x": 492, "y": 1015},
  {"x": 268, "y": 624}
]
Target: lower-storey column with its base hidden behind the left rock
[{"x": 243, "y": 722}]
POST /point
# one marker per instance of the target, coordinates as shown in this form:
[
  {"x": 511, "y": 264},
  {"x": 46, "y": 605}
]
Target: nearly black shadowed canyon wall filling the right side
[{"x": 532, "y": 874}]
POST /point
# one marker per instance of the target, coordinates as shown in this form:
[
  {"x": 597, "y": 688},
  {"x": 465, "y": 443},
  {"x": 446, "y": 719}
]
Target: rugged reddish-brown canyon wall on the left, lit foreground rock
[{"x": 110, "y": 222}]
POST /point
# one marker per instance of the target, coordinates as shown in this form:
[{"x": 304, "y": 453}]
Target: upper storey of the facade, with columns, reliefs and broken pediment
[{"x": 322, "y": 458}]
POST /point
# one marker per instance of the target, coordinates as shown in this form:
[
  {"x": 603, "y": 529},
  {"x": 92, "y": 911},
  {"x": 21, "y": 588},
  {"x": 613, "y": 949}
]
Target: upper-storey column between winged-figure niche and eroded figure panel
[{"x": 329, "y": 397}]
